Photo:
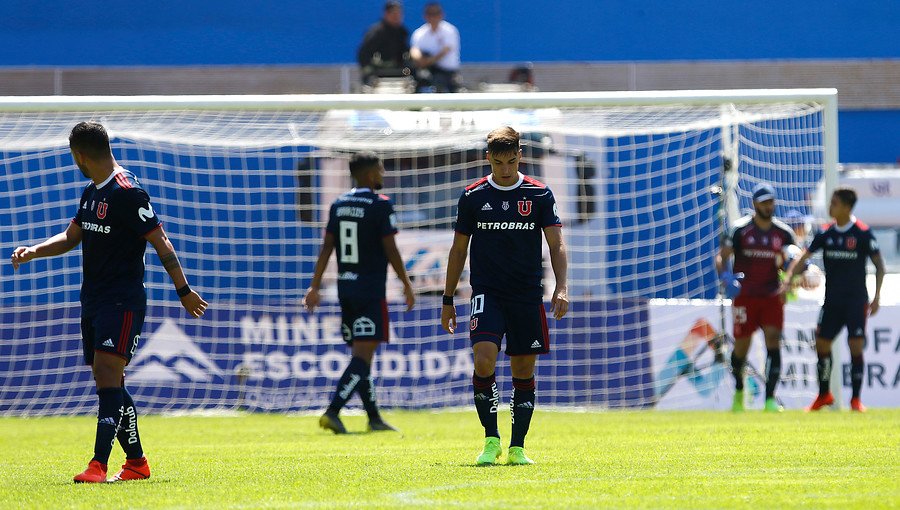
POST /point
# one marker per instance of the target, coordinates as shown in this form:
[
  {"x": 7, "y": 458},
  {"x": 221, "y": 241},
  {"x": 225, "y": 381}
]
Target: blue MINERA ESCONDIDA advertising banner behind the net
[{"x": 280, "y": 358}]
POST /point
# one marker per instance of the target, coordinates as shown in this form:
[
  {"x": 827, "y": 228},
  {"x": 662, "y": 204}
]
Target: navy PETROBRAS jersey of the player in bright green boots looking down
[{"x": 505, "y": 225}]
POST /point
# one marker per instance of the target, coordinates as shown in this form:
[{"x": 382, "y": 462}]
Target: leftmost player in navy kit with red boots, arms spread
[{"x": 113, "y": 223}]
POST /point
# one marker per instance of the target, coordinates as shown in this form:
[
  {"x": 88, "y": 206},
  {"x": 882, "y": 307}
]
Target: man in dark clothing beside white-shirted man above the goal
[{"x": 385, "y": 48}]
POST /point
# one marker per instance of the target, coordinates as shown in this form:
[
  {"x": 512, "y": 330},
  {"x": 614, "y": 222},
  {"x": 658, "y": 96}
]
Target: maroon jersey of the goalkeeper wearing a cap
[{"x": 759, "y": 255}]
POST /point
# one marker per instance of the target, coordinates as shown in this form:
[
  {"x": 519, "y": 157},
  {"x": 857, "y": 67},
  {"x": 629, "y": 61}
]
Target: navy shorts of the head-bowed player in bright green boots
[{"x": 525, "y": 325}]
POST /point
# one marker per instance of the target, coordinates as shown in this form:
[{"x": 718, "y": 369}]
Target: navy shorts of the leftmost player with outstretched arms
[{"x": 117, "y": 332}]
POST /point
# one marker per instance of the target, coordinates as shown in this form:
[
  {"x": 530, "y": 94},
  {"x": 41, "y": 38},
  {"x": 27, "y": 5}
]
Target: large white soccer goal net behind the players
[{"x": 243, "y": 186}]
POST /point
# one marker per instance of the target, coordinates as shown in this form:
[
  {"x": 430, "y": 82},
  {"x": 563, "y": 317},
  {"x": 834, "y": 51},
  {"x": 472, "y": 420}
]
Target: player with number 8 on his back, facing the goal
[{"x": 362, "y": 225}]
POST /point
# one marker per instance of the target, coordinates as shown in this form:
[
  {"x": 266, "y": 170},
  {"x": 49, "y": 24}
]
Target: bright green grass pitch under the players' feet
[{"x": 584, "y": 460}]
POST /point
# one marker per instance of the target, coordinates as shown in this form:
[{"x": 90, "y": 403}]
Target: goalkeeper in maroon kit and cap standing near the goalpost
[{"x": 757, "y": 243}]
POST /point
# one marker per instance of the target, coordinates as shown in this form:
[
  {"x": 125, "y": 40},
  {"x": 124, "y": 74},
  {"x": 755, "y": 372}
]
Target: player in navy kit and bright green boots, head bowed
[{"x": 504, "y": 214}]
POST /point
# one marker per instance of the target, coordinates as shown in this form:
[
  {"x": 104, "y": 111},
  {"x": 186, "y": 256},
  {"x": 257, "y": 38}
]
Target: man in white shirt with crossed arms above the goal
[{"x": 435, "y": 51}]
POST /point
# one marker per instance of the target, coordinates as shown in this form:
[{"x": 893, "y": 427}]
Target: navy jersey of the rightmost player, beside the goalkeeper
[{"x": 845, "y": 251}]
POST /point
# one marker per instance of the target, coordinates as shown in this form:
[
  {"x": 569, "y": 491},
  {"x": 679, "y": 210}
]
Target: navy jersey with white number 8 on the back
[{"x": 359, "y": 220}]
